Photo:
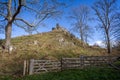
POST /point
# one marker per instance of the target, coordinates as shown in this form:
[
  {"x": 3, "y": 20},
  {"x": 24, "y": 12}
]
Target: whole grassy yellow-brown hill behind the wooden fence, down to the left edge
[{"x": 49, "y": 45}]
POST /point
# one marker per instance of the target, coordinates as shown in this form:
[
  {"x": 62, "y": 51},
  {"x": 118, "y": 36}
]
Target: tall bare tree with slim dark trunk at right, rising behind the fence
[{"x": 106, "y": 15}]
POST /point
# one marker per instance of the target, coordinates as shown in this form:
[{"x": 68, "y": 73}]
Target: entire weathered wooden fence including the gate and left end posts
[{"x": 38, "y": 66}]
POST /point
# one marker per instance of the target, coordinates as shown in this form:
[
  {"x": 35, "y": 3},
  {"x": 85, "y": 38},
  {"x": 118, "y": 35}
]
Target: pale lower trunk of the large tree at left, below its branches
[{"x": 8, "y": 30}]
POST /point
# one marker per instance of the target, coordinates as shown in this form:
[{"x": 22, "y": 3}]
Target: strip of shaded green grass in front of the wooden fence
[{"x": 85, "y": 74}]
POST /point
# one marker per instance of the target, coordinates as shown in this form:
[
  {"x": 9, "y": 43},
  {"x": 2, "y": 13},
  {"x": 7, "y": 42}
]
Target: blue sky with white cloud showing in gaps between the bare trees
[{"x": 63, "y": 21}]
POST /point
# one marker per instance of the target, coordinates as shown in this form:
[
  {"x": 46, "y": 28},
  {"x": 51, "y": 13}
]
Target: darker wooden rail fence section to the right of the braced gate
[{"x": 87, "y": 61}]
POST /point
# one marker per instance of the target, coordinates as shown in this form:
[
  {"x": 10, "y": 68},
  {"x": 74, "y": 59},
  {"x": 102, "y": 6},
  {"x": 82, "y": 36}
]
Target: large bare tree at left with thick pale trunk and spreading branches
[{"x": 19, "y": 12}]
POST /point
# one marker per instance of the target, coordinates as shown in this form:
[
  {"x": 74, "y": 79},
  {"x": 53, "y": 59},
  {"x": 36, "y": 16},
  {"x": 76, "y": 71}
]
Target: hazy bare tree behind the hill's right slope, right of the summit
[{"x": 81, "y": 16}]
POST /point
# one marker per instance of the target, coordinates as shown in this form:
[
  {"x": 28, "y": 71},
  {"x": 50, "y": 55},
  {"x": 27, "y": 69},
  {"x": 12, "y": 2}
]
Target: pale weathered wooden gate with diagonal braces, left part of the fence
[{"x": 38, "y": 66}]
